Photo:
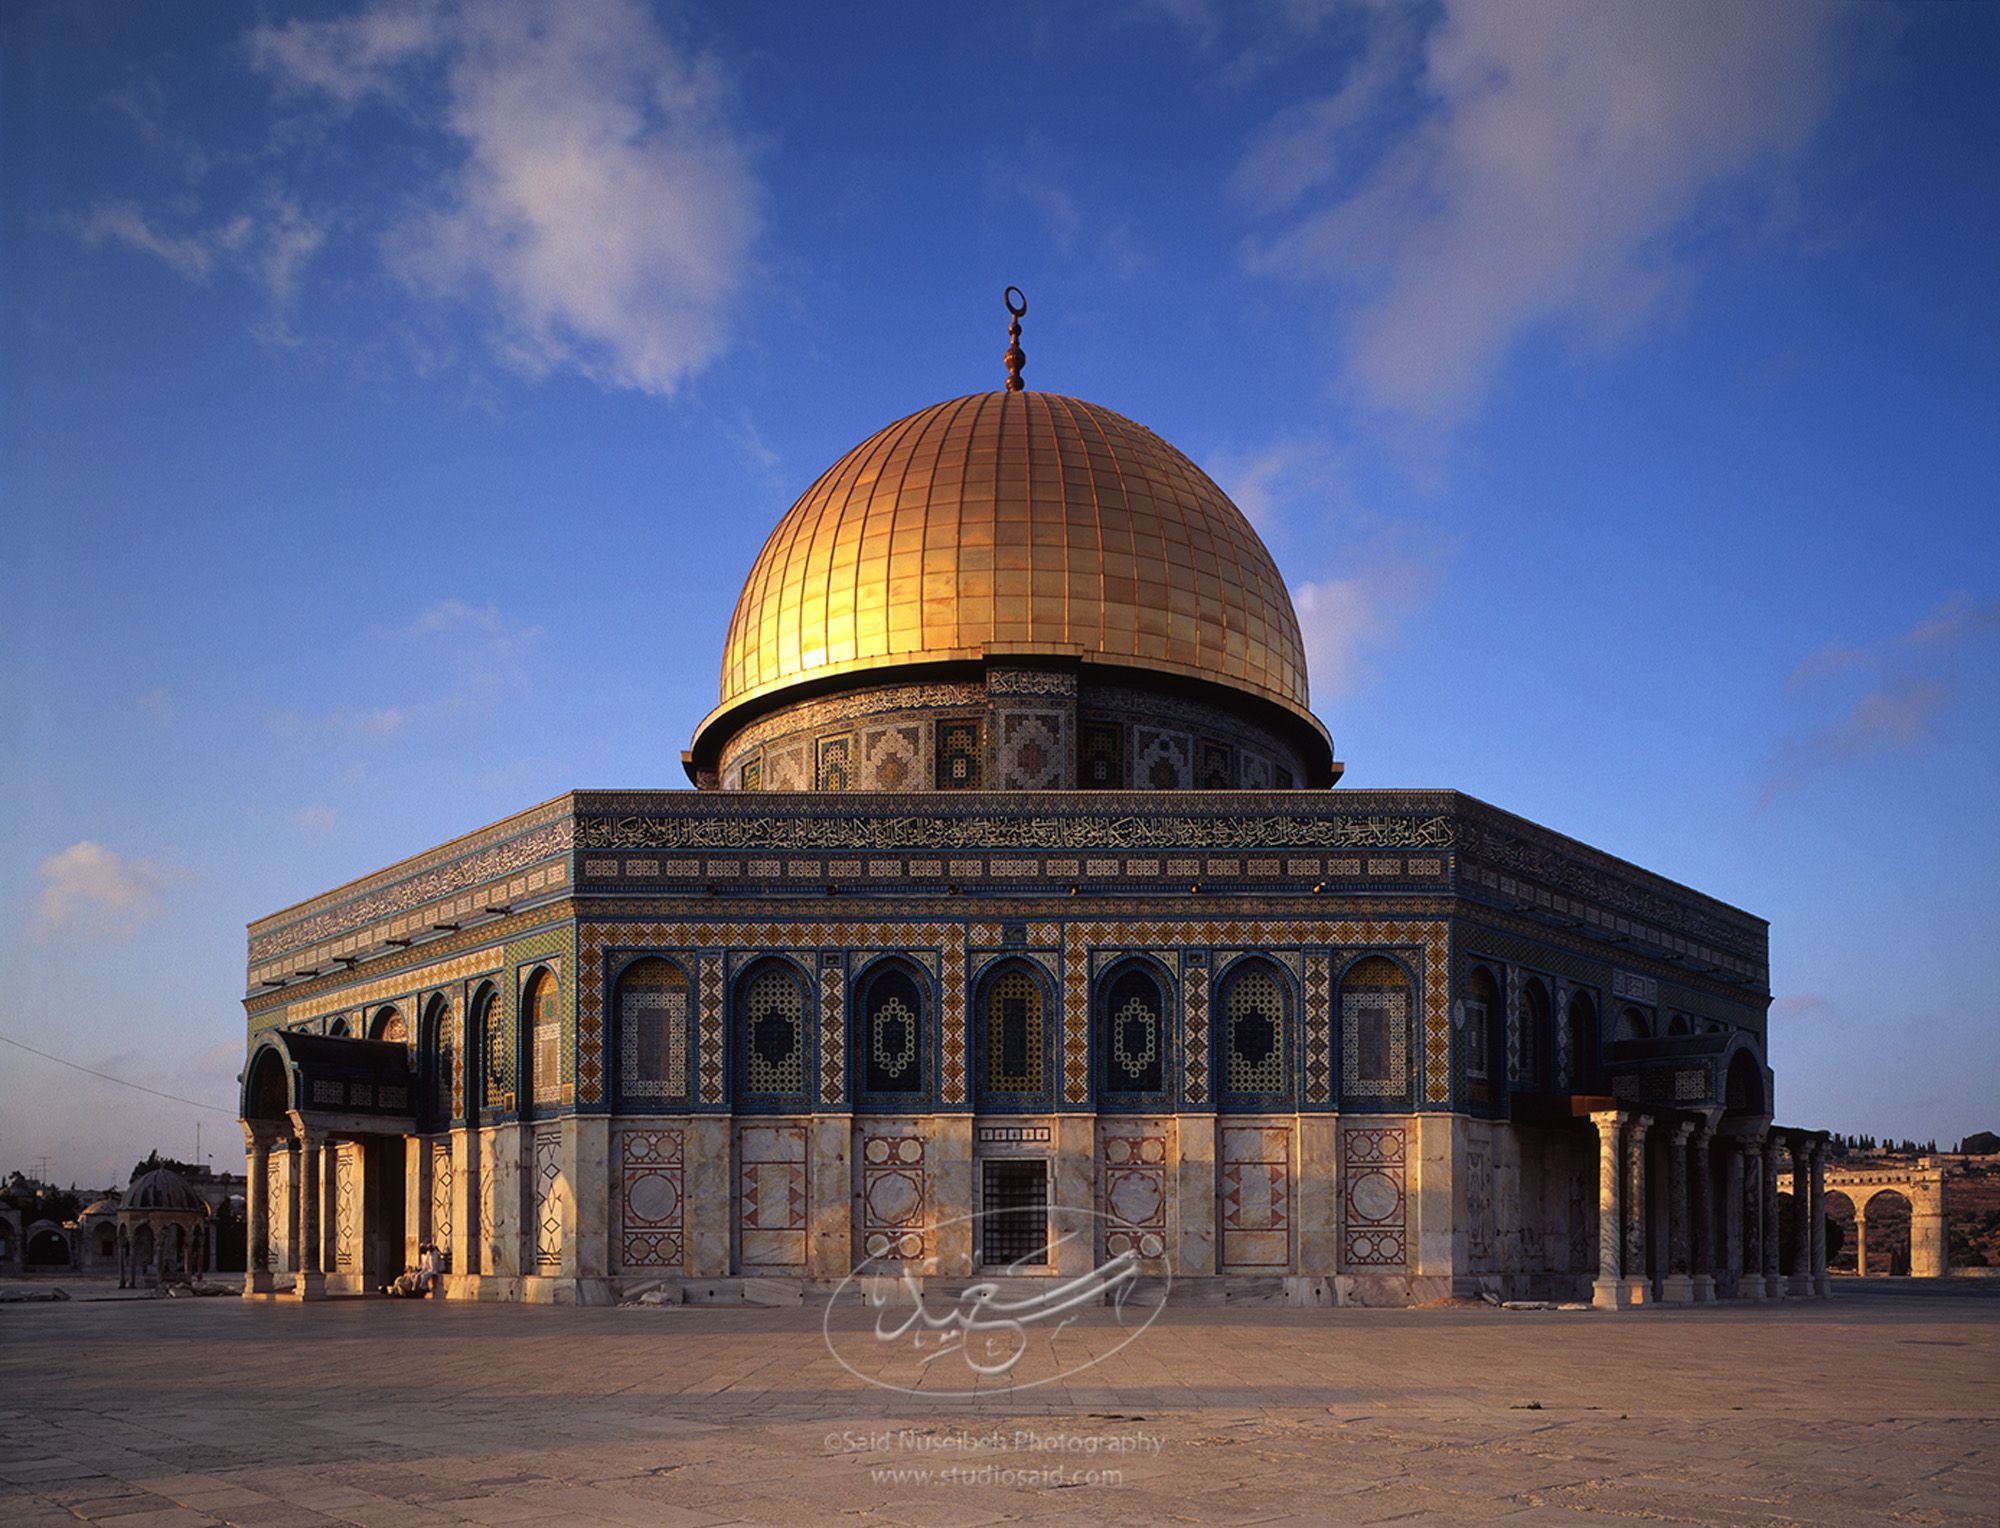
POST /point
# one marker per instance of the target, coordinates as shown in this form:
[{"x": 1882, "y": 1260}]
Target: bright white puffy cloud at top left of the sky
[{"x": 599, "y": 207}]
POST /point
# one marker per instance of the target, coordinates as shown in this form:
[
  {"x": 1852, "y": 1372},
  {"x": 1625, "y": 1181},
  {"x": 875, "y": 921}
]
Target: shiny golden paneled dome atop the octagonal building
[{"x": 1015, "y": 525}]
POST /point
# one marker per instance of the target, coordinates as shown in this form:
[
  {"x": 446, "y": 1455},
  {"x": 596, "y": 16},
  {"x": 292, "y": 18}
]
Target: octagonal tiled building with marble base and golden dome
[{"x": 1015, "y": 875}]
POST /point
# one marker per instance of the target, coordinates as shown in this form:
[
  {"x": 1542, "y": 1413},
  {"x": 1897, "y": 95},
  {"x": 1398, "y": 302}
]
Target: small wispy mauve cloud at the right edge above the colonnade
[{"x": 1911, "y": 689}]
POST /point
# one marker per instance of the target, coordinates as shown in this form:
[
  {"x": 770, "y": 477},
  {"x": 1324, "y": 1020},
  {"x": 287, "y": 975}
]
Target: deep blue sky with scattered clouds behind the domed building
[{"x": 395, "y": 397}]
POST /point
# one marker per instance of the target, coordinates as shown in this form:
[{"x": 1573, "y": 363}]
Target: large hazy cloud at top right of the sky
[{"x": 1527, "y": 165}]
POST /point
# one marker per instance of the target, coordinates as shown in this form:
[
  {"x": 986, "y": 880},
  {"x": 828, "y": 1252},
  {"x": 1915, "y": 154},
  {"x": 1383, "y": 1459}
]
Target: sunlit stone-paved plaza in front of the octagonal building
[{"x": 1881, "y": 1405}]
